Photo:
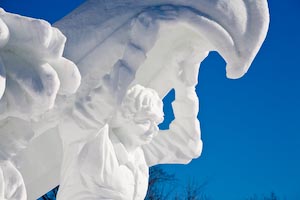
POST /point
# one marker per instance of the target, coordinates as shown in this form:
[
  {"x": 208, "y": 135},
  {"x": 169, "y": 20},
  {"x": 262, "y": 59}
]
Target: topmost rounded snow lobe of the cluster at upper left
[{"x": 33, "y": 36}]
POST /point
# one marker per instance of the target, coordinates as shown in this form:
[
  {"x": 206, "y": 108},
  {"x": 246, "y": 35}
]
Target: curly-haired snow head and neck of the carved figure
[{"x": 136, "y": 123}]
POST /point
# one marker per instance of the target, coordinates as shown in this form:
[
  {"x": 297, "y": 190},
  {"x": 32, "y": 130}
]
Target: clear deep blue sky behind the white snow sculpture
[{"x": 251, "y": 126}]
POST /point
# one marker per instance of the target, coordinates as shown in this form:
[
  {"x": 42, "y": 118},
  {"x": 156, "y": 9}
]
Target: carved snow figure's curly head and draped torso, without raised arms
[{"x": 109, "y": 163}]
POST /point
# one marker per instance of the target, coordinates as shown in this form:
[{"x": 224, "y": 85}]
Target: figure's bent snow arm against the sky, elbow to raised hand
[{"x": 181, "y": 142}]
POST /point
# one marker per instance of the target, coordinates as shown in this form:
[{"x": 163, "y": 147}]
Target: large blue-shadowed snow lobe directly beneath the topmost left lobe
[{"x": 31, "y": 87}]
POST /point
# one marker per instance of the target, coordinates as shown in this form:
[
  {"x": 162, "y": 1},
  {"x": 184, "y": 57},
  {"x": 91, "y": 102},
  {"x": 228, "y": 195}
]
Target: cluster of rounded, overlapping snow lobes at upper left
[{"x": 32, "y": 68}]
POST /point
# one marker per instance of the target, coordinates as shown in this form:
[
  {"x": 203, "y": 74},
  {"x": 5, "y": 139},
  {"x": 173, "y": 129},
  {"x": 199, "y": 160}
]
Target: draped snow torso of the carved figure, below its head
[{"x": 100, "y": 179}]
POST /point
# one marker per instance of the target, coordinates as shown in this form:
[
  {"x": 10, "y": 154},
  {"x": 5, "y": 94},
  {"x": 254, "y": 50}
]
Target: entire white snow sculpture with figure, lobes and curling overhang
[{"x": 98, "y": 140}]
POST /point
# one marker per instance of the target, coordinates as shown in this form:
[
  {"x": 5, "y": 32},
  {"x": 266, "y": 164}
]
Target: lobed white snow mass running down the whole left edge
[{"x": 33, "y": 72}]
